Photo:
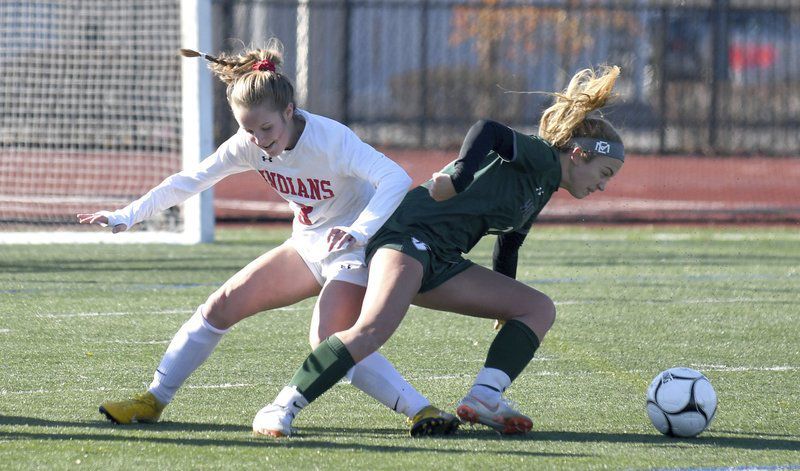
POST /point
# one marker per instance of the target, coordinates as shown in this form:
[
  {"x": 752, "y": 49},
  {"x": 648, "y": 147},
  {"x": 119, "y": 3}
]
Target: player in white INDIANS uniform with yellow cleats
[{"x": 341, "y": 191}]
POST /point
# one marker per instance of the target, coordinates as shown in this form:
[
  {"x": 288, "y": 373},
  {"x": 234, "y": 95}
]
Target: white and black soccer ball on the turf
[{"x": 681, "y": 402}]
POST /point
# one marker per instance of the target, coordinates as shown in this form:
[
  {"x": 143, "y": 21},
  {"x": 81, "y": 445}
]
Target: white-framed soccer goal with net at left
[{"x": 97, "y": 108}]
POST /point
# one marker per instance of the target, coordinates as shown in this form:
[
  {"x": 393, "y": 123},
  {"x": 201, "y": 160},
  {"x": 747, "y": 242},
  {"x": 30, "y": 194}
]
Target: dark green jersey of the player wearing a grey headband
[{"x": 504, "y": 196}]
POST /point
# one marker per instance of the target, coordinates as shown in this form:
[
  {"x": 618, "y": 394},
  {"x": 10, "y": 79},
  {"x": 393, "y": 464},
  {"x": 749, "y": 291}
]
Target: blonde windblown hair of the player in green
[{"x": 588, "y": 90}]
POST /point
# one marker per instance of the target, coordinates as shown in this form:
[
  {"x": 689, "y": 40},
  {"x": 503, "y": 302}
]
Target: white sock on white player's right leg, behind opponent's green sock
[{"x": 378, "y": 378}]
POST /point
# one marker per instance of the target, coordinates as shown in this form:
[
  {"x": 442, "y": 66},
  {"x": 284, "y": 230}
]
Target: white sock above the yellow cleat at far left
[{"x": 190, "y": 347}]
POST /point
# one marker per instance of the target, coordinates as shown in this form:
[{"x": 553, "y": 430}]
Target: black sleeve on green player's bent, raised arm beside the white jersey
[{"x": 483, "y": 137}]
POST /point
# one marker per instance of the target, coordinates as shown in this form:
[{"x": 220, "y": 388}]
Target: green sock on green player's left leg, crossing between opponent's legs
[{"x": 326, "y": 365}]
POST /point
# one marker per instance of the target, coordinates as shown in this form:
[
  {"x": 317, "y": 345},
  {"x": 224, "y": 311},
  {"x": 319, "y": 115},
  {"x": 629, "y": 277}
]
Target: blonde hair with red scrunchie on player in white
[{"x": 249, "y": 85}]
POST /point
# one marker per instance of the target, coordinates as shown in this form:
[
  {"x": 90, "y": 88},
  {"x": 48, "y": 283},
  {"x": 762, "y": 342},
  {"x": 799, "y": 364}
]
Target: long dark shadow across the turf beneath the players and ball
[{"x": 325, "y": 437}]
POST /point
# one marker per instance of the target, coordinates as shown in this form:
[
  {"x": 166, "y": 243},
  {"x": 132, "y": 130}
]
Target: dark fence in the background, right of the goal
[{"x": 699, "y": 77}]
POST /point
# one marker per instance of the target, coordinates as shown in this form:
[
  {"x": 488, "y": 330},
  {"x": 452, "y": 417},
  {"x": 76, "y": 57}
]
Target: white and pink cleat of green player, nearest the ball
[{"x": 499, "y": 415}]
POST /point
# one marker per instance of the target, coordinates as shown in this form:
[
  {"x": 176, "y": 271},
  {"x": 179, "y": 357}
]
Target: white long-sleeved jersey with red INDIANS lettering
[{"x": 330, "y": 178}]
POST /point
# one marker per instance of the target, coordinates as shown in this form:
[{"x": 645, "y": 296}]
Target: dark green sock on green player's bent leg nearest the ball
[{"x": 512, "y": 348}]
